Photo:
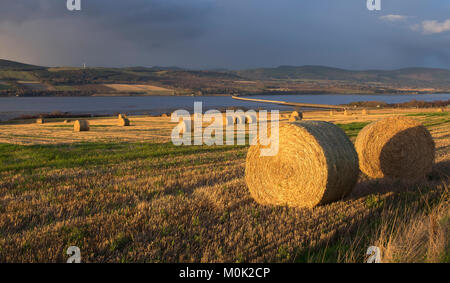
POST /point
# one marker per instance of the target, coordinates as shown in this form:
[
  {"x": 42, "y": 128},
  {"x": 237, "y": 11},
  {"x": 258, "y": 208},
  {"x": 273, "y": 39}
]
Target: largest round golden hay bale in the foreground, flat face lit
[{"x": 316, "y": 164}]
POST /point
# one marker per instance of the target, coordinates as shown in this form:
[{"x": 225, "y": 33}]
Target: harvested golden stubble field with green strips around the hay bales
[{"x": 126, "y": 194}]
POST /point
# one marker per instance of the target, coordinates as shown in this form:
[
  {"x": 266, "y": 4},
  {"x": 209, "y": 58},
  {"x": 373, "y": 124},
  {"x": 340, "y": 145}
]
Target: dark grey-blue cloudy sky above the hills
[{"x": 231, "y": 34}]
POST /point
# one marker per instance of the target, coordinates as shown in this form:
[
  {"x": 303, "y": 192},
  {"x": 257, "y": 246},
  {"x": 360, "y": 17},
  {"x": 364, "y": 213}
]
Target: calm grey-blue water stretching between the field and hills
[{"x": 11, "y": 107}]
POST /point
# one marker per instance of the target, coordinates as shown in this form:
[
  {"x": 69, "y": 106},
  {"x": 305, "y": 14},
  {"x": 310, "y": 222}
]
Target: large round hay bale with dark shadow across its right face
[{"x": 395, "y": 147}]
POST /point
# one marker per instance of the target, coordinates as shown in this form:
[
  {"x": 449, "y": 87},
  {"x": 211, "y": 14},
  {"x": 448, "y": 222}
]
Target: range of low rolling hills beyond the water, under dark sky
[{"x": 69, "y": 81}]
